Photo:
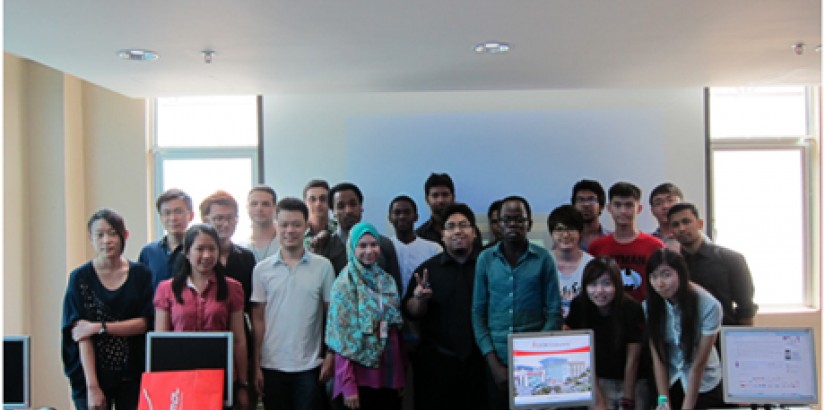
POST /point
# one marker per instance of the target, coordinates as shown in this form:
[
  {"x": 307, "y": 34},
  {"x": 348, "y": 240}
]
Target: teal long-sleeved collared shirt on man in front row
[{"x": 506, "y": 299}]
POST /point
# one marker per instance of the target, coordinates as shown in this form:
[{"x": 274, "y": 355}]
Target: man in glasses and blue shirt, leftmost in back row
[{"x": 175, "y": 209}]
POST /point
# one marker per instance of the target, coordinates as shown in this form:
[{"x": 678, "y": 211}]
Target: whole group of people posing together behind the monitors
[{"x": 341, "y": 316}]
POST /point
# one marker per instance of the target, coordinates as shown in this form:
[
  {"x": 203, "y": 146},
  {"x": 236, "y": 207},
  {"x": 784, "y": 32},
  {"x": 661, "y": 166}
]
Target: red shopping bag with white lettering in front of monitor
[{"x": 182, "y": 390}]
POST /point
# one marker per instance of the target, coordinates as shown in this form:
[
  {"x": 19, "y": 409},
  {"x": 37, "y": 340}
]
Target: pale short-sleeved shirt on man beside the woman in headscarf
[{"x": 294, "y": 312}]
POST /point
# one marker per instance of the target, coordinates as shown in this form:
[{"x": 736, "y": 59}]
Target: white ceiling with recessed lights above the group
[{"x": 287, "y": 46}]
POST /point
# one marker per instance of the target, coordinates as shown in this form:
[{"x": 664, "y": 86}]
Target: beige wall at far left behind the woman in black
[{"x": 69, "y": 148}]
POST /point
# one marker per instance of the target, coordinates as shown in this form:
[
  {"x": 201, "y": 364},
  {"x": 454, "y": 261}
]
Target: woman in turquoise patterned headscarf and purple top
[{"x": 363, "y": 328}]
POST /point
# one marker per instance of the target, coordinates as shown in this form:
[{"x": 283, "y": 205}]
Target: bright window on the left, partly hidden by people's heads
[{"x": 203, "y": 144}]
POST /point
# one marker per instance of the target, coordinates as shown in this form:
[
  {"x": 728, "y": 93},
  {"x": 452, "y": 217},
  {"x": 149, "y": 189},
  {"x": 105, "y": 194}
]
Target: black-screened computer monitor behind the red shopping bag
[{"x": 192, "y": 351}]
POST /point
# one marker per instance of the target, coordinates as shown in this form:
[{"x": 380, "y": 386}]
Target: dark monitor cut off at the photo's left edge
[{"x": 16, "y": 372}]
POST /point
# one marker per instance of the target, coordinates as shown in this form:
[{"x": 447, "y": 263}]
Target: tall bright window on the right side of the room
[{"x": 762, "y": 142}]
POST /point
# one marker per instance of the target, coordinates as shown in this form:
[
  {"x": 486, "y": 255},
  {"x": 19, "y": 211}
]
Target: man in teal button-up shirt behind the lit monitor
[{"x": 516, "y": 290}]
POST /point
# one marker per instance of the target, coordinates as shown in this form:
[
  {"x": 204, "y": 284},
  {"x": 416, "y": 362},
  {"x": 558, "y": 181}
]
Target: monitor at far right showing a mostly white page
[{"x": 768, "y": 365}]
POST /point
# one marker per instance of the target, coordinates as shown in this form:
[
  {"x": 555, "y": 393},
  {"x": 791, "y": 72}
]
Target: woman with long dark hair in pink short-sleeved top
[{"x": 201, "y": 298}]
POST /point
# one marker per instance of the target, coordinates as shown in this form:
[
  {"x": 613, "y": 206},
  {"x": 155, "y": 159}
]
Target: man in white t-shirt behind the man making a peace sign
[{"x": 411, "y": 249}]
